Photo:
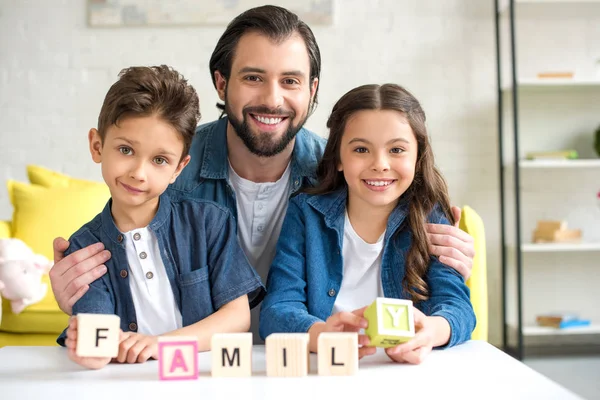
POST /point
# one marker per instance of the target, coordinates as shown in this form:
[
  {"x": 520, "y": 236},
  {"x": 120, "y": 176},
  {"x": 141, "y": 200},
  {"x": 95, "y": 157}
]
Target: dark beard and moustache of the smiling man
[{"x": 263, "y": 144}]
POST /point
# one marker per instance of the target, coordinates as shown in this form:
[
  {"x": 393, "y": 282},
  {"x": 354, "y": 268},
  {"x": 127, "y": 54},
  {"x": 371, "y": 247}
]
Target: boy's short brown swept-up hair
[{"x": 145, "y": 91}]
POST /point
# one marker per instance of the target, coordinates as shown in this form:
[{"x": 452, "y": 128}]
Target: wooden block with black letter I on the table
[{"x": 287, "y": 354}]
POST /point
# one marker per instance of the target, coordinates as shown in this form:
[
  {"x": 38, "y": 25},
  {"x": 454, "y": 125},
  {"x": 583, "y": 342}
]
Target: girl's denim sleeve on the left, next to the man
[{"x": 284, "y": 308}]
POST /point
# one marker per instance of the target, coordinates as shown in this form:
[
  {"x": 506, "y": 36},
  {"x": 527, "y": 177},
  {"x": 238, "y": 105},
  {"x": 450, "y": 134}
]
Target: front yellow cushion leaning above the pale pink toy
[{"x": 41, "y": 214}]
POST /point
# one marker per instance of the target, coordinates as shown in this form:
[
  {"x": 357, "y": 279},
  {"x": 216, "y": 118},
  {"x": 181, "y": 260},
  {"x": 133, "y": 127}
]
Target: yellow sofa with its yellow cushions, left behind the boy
[{"x": 51, "y": 205}]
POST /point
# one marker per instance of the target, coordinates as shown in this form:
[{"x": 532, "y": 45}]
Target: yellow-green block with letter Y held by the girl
[{"x": 391, "y": 322}]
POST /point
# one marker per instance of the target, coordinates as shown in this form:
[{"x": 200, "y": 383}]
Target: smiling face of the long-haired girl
[{"x": 378, "y": 153}]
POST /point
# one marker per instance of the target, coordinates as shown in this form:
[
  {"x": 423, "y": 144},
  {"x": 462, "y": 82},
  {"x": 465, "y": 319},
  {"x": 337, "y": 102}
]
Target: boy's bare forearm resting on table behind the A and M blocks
[{"x": 232, "y": 317}]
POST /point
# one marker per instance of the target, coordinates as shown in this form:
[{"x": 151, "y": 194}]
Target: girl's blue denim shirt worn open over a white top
[{"x": 306, "y": 273}]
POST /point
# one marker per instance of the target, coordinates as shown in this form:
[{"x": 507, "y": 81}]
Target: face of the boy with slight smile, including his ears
[{"x": 140, "y": 157}]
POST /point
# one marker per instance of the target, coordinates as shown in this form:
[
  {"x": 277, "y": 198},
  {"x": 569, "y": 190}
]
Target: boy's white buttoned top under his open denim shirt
[{"x": 153, "y": 298}]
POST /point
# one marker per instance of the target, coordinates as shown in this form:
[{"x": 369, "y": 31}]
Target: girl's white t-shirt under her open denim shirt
[{"x": 361, "y": 279}]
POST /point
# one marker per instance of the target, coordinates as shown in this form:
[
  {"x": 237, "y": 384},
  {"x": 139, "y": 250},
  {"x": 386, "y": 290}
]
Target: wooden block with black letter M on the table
[{"x": 232, "y": 354}]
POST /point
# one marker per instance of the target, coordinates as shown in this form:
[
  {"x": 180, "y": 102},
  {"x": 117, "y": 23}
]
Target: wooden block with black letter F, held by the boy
[{"x": 97, "y": 335}]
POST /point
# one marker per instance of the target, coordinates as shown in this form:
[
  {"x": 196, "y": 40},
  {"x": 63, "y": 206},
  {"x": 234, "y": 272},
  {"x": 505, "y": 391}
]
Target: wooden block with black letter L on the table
[{"x": 337, "y": 353}]
